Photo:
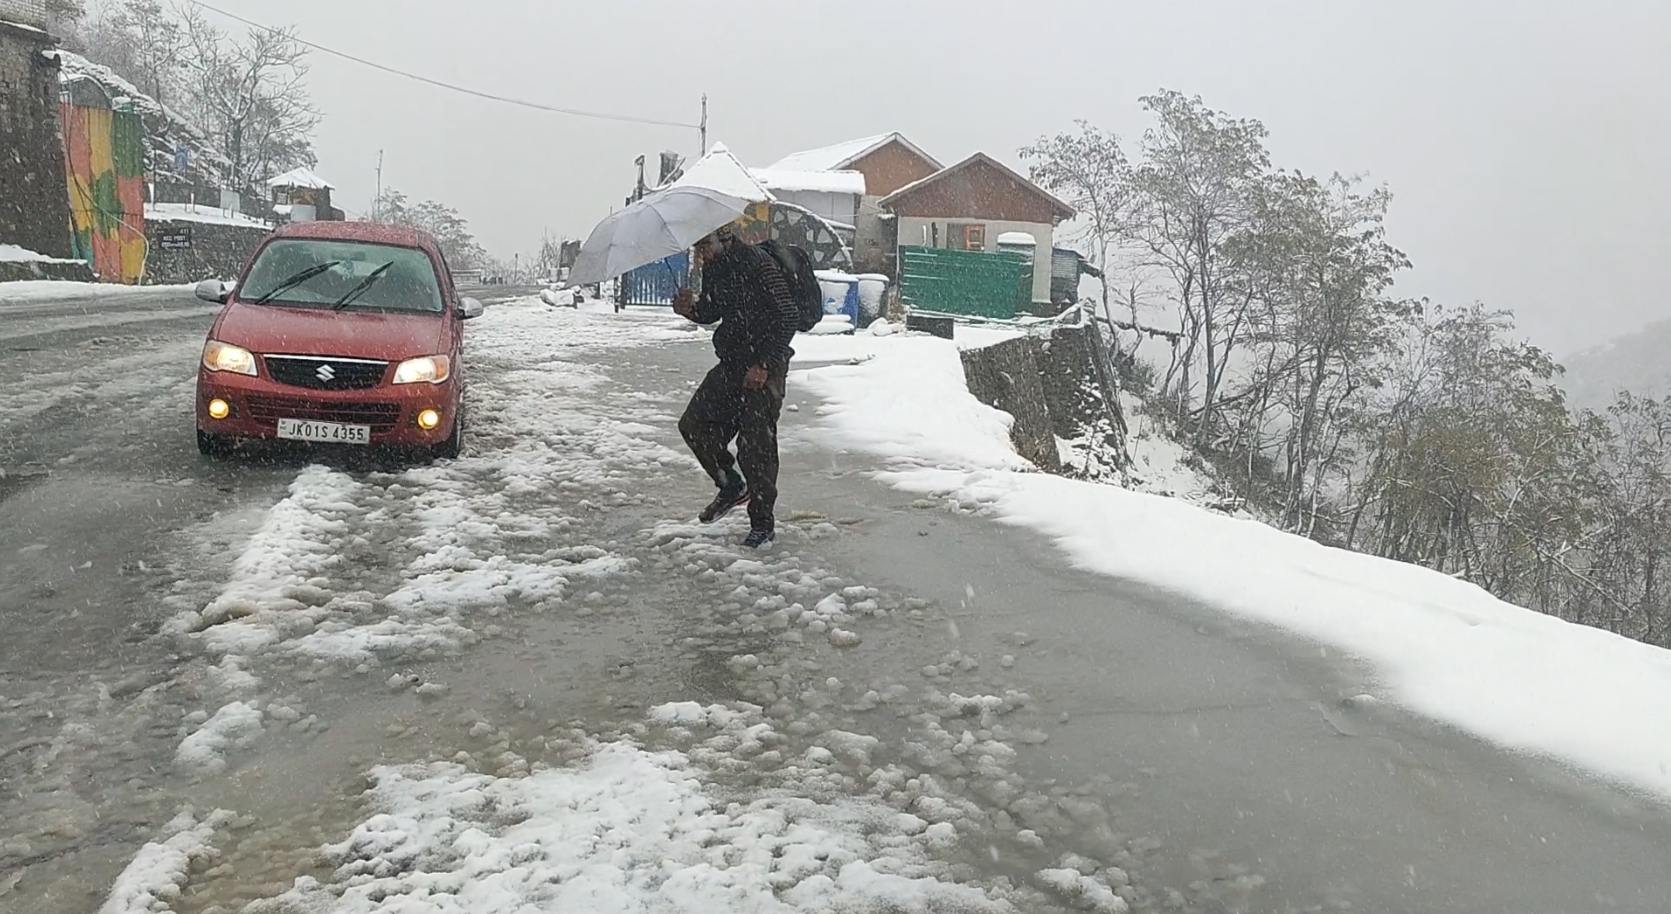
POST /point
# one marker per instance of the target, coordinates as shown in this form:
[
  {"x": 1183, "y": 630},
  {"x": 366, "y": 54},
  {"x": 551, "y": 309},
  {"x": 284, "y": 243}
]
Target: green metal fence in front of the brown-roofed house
[{"x": 980, "y": 285}]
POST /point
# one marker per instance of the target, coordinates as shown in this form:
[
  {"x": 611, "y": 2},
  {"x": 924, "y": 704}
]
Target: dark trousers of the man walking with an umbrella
[{"x": 723, "y": 410}]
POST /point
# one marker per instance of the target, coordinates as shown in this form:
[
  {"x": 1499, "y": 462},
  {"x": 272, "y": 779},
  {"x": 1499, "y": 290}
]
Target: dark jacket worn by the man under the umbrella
[{"x": 746, "y": 293}]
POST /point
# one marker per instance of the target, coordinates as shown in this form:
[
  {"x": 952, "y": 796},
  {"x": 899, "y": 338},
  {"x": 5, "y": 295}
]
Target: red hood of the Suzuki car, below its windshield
[{"x": 313, "y": 332}]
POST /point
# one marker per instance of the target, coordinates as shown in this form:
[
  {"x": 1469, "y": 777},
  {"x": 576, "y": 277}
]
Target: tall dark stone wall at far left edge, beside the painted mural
[{"x": 34, "y": 196}]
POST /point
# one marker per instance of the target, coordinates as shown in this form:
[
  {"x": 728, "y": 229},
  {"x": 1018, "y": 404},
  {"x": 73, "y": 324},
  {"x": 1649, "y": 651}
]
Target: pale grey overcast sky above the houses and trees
[{"x": 1528, "y": 143}]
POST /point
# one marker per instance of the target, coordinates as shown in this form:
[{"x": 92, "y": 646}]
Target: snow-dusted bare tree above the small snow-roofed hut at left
[{"x": 253, "y": 98}]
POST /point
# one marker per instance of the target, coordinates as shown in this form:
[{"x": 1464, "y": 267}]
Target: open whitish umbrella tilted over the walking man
[{"x": 714, "y": 193}]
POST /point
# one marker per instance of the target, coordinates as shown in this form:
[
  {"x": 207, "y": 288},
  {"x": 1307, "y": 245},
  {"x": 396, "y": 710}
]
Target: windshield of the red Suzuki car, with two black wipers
[{"x": 350, "y": 275}]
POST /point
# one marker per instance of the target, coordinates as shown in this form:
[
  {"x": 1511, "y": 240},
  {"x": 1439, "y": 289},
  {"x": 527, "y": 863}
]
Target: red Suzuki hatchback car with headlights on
[{"x": 342, "y": 333}]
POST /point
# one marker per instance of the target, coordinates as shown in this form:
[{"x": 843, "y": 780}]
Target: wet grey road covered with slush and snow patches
[{"x": 524, "y": 681}]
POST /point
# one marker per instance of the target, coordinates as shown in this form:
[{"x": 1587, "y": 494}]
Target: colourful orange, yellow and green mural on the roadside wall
[{"x": 104, "y": 163}]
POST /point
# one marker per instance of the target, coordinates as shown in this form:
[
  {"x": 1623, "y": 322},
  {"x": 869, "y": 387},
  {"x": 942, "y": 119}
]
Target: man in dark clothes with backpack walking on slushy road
[{"x": 744, "y": 290}]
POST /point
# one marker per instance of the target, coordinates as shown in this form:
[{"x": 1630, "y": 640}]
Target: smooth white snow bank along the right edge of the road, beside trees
[{"x": 1443, "y": 647}]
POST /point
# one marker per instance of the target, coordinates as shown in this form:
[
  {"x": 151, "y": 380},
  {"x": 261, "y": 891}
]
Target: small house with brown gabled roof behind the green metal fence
[{"x": 972, "y": 205}]
